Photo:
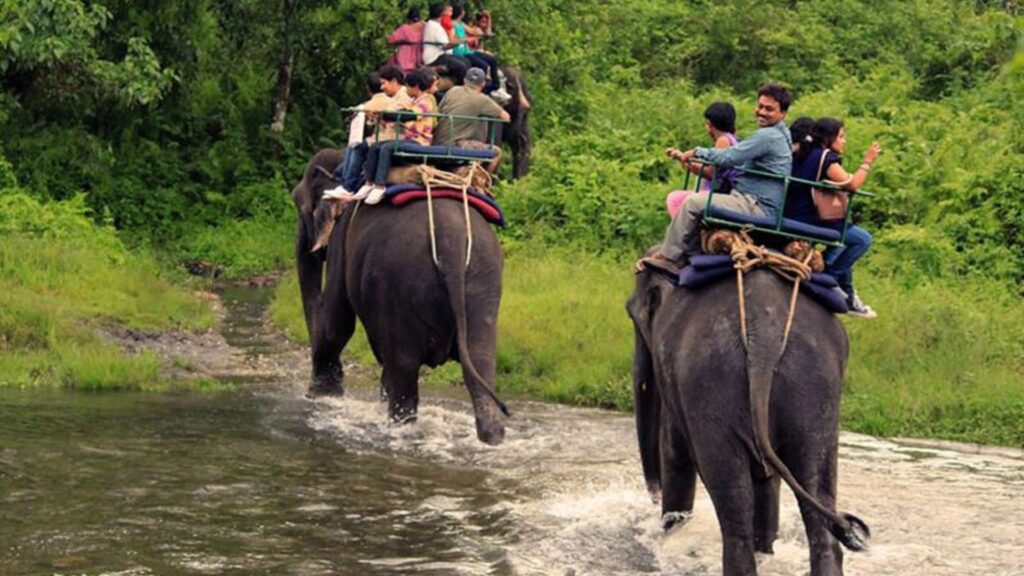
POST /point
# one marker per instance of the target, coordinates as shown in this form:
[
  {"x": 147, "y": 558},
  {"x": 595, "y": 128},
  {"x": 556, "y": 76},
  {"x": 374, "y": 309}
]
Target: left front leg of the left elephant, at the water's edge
[{"x": 334, "y": 325}]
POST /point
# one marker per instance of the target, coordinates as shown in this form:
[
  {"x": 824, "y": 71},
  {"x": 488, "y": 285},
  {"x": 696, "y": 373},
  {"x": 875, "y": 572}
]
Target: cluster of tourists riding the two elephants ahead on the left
[{"x": 411, "y": 110}]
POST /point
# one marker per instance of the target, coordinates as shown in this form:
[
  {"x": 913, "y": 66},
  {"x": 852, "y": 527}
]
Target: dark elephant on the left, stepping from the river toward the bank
[{"x": 380, "y": 270}]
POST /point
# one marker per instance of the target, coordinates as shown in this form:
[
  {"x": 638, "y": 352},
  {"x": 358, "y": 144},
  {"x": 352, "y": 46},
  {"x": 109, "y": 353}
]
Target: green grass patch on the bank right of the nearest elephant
[{"x": 944, "y": 359}]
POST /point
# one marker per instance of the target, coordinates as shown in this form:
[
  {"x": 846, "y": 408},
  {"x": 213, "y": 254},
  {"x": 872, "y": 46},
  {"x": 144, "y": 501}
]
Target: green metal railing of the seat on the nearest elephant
[{"x": 778, "y": 229}]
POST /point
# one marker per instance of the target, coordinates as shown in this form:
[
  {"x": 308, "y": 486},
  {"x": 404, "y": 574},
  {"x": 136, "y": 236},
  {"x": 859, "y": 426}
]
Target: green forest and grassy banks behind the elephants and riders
[{"x": 140, "y": 136}]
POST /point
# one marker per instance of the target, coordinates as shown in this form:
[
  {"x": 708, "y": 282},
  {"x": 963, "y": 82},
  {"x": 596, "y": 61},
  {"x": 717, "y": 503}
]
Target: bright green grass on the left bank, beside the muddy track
[{"x": 62, "y": 280}]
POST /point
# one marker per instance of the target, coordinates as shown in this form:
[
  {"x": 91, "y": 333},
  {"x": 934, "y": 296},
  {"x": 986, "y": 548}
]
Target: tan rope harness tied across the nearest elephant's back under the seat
[{"x": 748, "y": 256}]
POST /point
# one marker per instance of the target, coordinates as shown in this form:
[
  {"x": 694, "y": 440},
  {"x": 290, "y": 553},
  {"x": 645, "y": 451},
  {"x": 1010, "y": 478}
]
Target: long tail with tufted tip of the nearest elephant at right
[{"x": 762, "y": 359}]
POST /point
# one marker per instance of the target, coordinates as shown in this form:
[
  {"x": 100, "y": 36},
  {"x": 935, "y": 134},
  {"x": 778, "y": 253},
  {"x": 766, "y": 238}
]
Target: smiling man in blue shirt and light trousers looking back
[{"x": 767, "y": 150}]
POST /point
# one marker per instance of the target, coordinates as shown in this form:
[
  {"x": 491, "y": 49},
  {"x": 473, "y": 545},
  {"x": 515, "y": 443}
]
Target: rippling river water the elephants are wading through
[{"x": 262, "y": 481}]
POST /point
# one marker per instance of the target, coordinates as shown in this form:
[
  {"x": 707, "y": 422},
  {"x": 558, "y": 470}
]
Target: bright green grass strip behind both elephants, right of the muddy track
[{"x": 946, "y": 358}]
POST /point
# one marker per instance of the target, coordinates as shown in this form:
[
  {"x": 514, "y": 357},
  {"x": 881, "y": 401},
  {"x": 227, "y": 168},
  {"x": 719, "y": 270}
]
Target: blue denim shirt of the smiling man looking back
[{"x": 769, "y": 150}]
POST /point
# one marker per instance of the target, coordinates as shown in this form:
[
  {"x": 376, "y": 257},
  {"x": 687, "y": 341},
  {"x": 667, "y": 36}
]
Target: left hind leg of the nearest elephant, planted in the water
[{"x": 728, "y": 478}]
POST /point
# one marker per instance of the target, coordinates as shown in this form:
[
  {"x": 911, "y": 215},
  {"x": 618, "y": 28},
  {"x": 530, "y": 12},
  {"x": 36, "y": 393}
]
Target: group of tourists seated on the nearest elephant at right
[{"x": 812, "y": 151}]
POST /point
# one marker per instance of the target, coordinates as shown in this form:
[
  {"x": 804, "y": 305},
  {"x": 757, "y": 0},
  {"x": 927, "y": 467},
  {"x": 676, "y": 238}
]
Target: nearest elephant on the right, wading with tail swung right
[{"x": 741, "y": 415}]
